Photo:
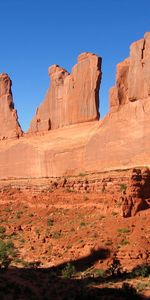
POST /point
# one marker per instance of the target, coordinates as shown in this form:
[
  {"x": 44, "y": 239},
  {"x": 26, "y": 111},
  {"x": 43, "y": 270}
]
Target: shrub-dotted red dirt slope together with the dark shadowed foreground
[{"x": 53, "y": 230}]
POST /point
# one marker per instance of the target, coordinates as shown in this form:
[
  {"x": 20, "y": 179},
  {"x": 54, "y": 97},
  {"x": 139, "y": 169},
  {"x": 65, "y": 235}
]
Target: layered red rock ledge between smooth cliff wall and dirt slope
[{"x": 123, "y": 192}]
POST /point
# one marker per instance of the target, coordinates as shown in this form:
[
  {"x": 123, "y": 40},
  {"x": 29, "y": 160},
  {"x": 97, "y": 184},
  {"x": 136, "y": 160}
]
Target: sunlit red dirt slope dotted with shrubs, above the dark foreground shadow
[{"x": 56, "y": 226}]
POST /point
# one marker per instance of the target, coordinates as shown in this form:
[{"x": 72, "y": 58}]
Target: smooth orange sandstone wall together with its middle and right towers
[{"x": 119, "y": 141}]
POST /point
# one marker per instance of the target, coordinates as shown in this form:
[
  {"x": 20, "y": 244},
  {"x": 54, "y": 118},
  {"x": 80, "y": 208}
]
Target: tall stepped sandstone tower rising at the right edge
[{"x": 133, "y": 75}]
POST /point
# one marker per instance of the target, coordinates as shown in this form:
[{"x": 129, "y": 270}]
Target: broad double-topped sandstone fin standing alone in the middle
[{"x": 71, "y": 98}]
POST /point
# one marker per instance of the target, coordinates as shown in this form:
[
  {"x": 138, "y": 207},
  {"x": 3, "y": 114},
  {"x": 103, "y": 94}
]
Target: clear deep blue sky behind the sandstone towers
[{"x": 38, "y": 33}]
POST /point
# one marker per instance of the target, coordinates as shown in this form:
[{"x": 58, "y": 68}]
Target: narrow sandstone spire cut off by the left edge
[{"x": 9, "y": 126}]
